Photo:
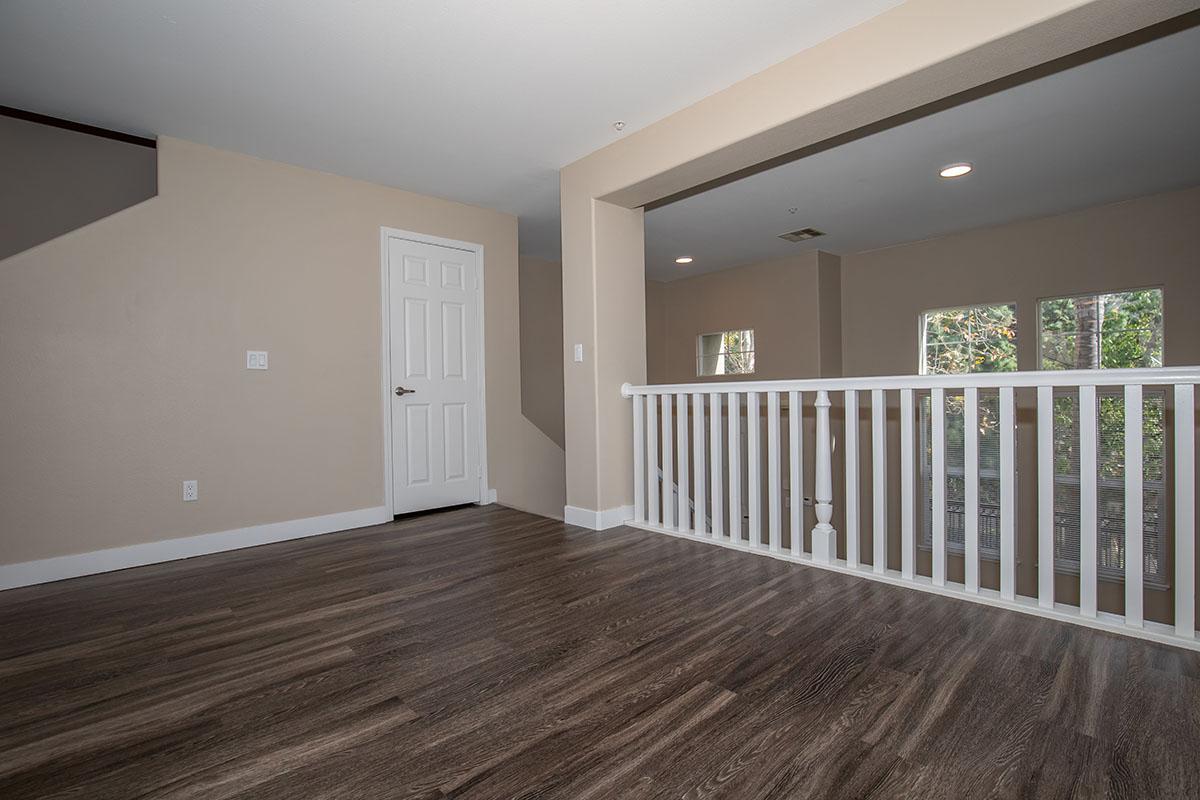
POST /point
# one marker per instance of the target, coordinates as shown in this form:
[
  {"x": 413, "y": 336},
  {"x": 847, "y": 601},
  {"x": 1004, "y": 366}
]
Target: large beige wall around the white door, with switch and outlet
[{"x": 123, "y": 353}]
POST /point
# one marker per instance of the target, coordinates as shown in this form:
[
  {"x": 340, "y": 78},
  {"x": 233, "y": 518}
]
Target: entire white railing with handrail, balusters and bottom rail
[{"x": 694, "y": 434}]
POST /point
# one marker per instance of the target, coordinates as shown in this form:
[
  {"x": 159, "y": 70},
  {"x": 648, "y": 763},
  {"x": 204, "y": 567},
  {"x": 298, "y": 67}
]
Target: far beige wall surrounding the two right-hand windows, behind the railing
[{"x": 1151, "y": 242}]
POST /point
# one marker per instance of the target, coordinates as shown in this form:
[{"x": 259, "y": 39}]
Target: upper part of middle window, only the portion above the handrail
[{"x": 975, "y": 339}]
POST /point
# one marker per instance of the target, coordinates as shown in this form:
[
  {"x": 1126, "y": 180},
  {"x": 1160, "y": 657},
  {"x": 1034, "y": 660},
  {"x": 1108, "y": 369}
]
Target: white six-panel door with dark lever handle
[{"x": 434, "y": 294}]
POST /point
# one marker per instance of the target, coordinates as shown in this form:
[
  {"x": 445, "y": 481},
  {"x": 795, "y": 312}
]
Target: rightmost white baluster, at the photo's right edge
[{"x": 1185, "y": 512}]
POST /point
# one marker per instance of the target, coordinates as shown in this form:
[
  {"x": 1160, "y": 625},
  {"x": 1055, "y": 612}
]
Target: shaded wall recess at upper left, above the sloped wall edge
[{"x": 57, "y": 181}]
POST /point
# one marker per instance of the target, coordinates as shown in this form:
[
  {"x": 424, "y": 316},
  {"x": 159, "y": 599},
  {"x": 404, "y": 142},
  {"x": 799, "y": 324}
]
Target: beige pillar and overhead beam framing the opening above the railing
[{"x": 920, "y": 52}]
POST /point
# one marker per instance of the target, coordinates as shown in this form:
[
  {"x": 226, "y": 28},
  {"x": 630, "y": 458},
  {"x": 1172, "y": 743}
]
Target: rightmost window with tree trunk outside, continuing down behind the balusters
[{"x": 1107, "y": 332}]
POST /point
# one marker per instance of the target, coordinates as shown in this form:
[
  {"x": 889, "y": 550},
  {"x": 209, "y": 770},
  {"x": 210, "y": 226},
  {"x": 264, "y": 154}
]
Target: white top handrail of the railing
[{"x": 981, "y": 381}]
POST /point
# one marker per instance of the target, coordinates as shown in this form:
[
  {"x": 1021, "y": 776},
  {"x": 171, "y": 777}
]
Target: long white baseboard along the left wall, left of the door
[{"x": 171, "y": 550}]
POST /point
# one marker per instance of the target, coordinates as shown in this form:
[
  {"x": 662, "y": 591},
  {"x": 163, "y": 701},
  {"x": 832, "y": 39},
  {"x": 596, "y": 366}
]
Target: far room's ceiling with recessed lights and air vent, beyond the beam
[{"x": 1119, "y": 128}]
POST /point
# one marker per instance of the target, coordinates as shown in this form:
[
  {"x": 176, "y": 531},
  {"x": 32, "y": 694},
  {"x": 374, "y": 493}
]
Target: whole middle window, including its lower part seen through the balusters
[{"x": 958, "y": 341}]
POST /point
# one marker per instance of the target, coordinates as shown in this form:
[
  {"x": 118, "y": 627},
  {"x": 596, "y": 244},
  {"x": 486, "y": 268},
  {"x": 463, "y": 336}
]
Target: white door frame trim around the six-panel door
[{"x": 487, "y": 496}]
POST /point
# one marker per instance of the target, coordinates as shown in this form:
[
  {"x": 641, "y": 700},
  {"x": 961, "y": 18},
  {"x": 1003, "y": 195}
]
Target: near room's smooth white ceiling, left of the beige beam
[{"x": 471, "y": 100}]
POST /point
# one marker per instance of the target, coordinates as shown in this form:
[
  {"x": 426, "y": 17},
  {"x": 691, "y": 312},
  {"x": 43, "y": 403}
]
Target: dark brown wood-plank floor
[{"x": 487, "y": 653}]
